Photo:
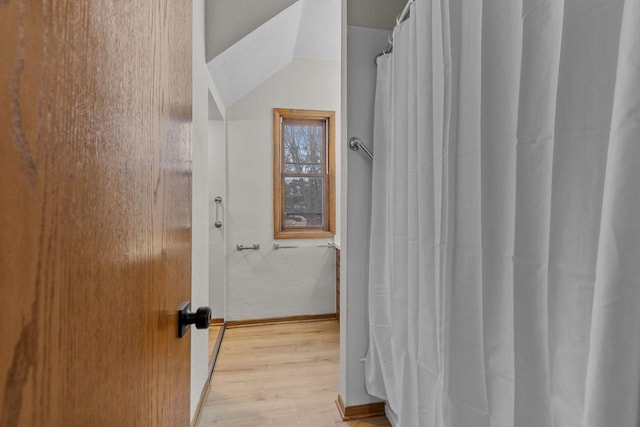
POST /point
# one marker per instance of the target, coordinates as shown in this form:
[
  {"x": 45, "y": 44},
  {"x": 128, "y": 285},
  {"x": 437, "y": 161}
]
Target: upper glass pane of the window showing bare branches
[{"x": 303, "y": 145}]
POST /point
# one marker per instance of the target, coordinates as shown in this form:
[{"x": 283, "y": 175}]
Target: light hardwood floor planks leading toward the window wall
[{"x": 278, "y": 375}]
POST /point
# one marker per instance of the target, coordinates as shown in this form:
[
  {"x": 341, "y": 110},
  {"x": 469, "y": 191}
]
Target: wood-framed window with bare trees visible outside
[{"x": 303, "y": 174}]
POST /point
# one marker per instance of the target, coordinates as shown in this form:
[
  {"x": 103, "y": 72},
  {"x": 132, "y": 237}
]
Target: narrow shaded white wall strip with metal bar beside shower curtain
[{"x": 363, "y": 45}]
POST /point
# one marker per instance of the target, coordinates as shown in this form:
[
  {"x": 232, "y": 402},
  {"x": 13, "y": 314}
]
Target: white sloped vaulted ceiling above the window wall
[{"x": 307, "y": 29}]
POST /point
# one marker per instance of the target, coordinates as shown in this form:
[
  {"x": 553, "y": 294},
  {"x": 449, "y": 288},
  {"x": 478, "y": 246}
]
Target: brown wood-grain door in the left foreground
[{"x": 95, "y": 216}]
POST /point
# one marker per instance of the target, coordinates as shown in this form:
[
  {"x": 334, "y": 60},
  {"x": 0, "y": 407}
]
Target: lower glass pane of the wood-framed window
[{"x": 303, "y": 202}]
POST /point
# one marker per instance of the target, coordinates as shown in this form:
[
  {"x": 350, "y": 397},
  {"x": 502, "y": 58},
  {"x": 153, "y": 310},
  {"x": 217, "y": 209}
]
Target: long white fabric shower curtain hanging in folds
[{"x": 504, "y": 278}]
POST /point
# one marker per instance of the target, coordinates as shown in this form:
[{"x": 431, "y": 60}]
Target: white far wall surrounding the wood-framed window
[{"x": 286, "y": 282}]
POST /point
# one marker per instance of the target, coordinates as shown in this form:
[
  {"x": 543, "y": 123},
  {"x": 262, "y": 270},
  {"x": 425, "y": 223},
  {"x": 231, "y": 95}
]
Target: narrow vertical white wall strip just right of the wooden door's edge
[{"x": 200, "y": 208}]
